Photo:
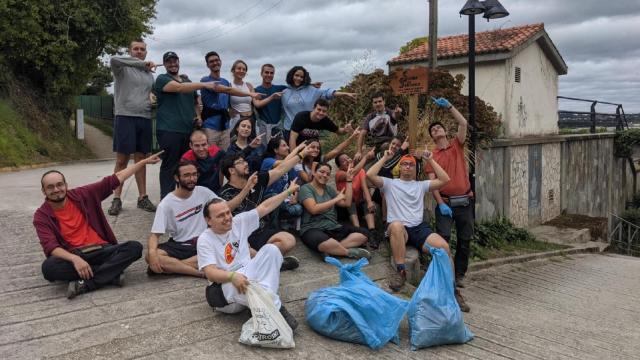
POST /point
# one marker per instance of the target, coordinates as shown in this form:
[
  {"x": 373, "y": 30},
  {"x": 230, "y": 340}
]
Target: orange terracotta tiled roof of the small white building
[{"x": 495, "y": 41}]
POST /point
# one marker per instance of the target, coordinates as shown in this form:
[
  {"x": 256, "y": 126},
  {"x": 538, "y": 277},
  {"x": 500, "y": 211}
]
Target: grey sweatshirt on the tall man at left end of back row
[{"x": 132, "y": 87}]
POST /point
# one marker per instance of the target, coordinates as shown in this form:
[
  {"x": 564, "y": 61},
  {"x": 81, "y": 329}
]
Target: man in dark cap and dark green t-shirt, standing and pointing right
[{"x": 177, "y": 110}]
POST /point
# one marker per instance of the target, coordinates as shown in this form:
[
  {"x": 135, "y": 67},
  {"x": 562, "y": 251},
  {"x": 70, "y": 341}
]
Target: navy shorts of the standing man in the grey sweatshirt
[{"x": 132, "y": 134}]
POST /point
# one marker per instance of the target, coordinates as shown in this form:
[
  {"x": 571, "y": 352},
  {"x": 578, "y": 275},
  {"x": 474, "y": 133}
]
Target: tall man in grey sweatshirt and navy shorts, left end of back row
[{"x": 132, "y": 123}]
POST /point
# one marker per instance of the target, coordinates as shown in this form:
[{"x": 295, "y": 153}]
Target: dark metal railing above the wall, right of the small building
[{"x": 592, "y": 118}]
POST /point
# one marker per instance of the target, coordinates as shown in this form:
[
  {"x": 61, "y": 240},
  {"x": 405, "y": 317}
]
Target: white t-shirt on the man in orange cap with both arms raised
[{"x": 405, "y": 200}]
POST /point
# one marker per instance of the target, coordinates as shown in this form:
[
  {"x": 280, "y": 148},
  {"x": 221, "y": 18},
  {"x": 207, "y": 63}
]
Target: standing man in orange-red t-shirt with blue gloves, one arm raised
[{"x": 455, "y": 200}]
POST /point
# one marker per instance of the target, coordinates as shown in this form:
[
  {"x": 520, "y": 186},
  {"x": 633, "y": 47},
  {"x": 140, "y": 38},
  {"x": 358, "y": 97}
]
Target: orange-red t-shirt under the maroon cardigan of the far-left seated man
[{"x": 74, "y": 227}]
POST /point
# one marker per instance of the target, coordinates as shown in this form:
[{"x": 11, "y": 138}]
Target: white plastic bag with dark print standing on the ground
[{"x": 267, "y": 327}]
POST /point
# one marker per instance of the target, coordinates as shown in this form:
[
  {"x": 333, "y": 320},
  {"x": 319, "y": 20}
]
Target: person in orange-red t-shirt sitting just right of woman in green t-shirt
[{"x": 361, "y": 204}]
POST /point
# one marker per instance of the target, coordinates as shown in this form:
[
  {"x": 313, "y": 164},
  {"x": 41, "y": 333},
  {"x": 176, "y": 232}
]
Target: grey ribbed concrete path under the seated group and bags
[{"x": 578, "y": 307}]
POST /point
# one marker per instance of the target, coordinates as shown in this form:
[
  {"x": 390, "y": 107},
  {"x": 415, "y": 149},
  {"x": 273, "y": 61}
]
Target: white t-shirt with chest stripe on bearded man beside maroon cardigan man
[{"x": 182, "y": 219}]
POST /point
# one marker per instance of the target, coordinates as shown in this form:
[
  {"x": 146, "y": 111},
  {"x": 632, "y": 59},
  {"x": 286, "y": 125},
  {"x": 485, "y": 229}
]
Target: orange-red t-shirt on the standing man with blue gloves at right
[{"x": 452, "y": 161}]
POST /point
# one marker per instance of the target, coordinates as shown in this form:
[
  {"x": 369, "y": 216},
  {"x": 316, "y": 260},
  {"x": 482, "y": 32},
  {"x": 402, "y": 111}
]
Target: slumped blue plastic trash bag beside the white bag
[{"x": 357, "y": 310}]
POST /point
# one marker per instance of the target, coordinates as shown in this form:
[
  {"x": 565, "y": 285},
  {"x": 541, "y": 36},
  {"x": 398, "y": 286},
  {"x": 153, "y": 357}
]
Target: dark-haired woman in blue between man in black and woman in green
[{"x": 277, "y": 151}]
